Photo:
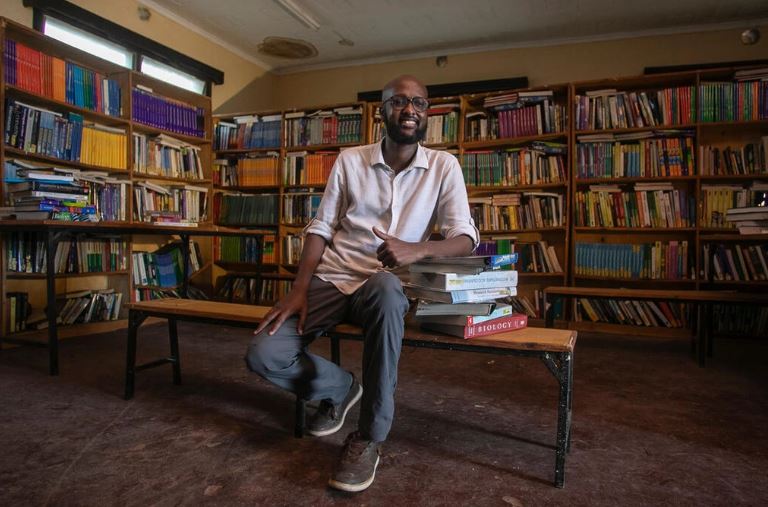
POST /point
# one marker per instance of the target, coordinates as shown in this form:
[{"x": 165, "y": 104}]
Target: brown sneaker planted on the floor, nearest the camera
[{"x": 357, "y": 467}]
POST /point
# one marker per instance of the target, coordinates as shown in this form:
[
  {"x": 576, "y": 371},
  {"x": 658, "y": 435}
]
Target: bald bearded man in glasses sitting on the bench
[{"x": 379, "y": 208}]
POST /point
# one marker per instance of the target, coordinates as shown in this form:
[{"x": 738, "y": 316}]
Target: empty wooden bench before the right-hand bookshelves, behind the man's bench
[{"x": 701, "y": 299}]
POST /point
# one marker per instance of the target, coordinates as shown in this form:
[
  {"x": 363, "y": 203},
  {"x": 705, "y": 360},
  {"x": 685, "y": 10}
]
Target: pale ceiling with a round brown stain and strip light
[{"x": 383, "y": 30}]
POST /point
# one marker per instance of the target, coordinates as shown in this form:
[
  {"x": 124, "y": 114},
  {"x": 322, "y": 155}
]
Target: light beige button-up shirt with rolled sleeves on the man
[{"x": 363, "y": 192}]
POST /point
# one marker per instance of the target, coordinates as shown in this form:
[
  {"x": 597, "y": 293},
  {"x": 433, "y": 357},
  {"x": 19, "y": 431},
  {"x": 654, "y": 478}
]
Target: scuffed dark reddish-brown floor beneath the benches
[{"x": 650, "y": 428}]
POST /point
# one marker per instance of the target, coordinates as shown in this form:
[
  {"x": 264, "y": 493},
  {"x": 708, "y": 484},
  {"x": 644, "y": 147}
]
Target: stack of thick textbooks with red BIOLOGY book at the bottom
[{"x": 465, "y": 296}]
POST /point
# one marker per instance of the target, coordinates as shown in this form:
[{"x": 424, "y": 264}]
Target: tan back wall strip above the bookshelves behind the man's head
[{"x": 542, "y": 65}]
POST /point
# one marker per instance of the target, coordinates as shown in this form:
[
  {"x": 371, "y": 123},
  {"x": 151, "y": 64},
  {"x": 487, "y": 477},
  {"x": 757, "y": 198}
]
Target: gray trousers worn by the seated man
[{"x": 379, "y": 307}]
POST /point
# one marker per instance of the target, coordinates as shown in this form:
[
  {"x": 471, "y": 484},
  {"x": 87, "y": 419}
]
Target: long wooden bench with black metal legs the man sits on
[{"x": 554, "y": 347}]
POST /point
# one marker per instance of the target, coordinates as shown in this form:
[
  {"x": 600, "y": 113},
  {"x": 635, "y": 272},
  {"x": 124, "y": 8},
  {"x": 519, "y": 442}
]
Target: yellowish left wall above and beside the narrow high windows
[{"x": 238, "y": 72}]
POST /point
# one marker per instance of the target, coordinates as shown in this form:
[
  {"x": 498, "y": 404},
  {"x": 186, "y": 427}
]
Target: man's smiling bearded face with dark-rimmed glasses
[{"x": 405, "y": 125}]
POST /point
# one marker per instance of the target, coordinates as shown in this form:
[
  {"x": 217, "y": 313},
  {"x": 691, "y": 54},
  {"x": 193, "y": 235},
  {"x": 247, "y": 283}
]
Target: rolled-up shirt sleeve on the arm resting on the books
[{"x": 453, "y": 216}]
